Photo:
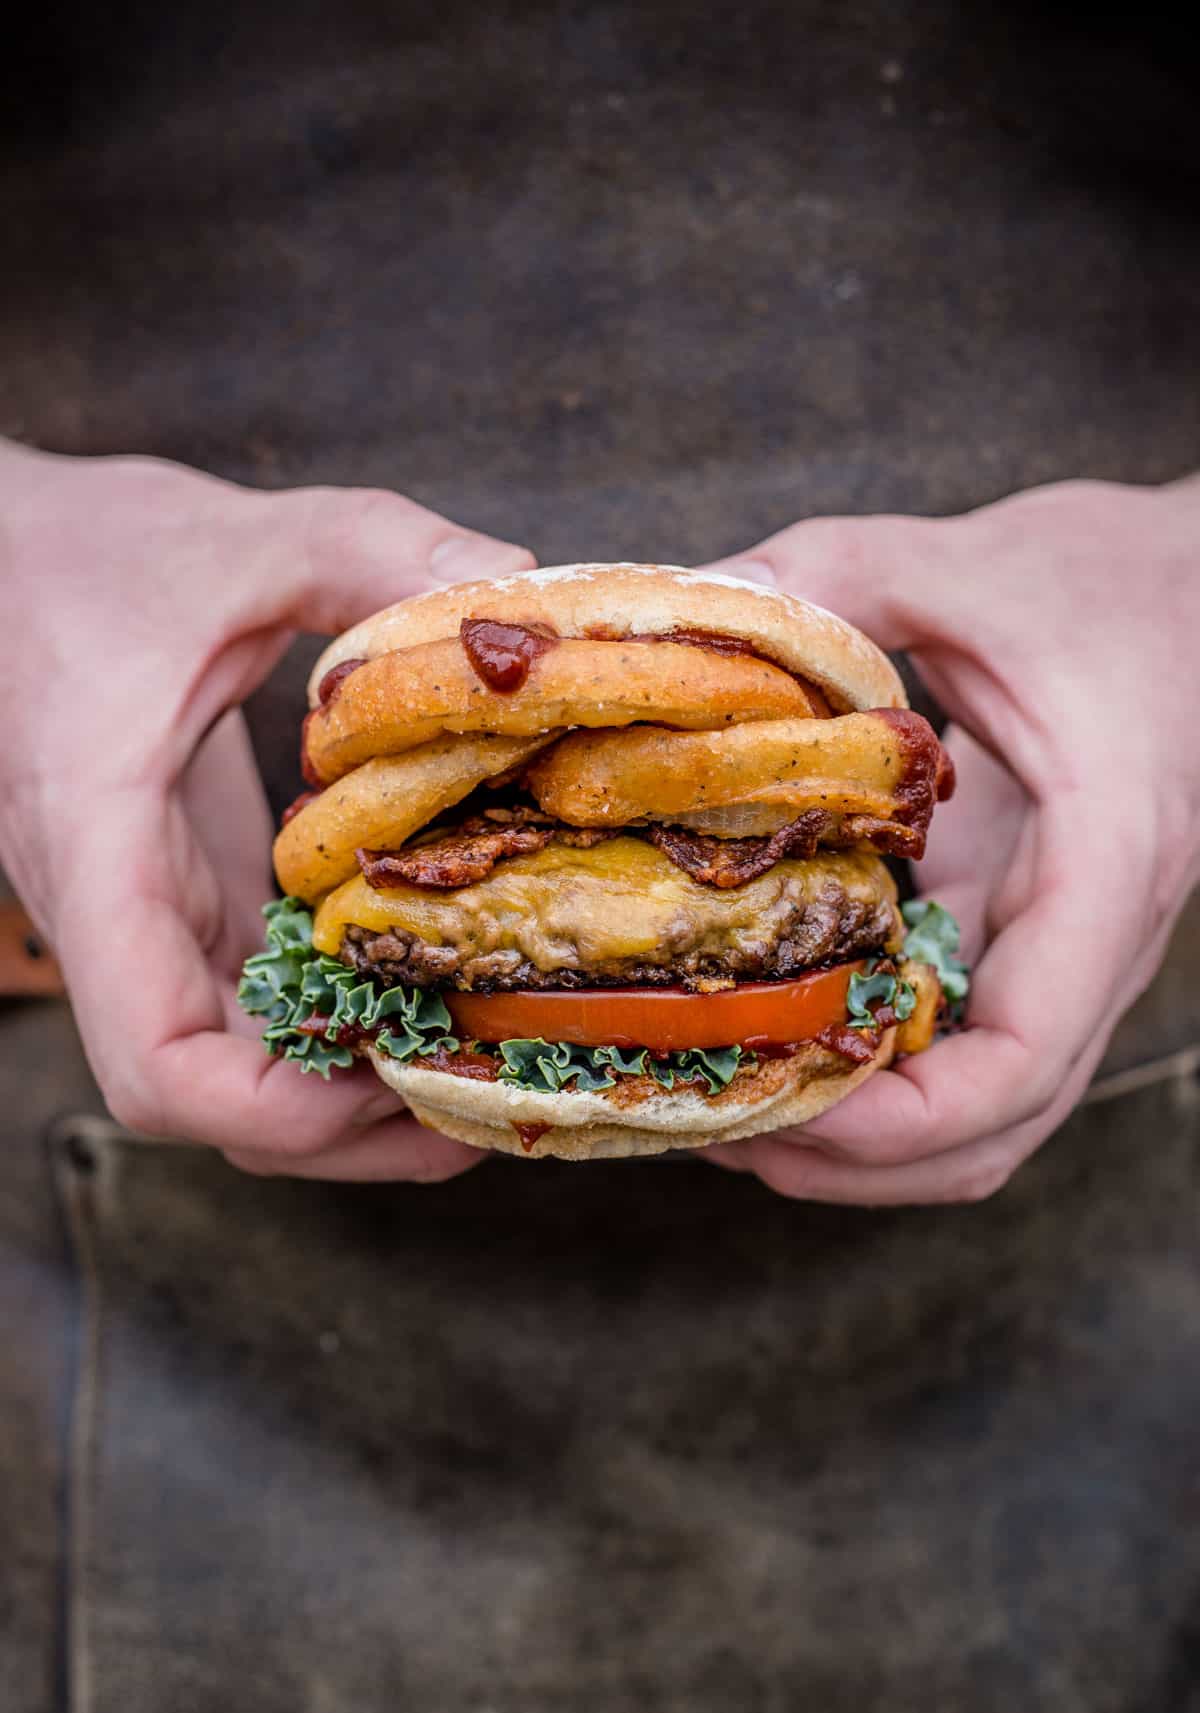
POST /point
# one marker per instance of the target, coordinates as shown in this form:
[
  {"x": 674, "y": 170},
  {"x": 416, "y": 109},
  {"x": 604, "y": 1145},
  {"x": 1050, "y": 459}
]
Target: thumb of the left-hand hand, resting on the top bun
[{"x": 352, "y": 551}]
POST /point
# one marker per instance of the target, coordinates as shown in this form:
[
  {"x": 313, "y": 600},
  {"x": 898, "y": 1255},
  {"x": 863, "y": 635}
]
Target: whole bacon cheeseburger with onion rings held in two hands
[{"x": 598, "y": 861}]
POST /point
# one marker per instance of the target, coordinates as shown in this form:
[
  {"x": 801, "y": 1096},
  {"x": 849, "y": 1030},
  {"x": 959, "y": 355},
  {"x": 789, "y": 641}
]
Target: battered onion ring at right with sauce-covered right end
[{"x": 886, "y": 763}]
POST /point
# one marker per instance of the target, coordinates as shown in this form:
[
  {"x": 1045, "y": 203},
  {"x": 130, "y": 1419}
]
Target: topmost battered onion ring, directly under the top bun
[{"x": 410, "y": 696}]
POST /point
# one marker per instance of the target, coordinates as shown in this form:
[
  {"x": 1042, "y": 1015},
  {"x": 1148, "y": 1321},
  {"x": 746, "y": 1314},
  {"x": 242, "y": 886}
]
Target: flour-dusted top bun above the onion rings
[{"x": 641, "y": 600}]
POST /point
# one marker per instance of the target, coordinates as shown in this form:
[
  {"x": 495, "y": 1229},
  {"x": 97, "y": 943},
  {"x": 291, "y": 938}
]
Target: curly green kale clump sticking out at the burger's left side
[{"x": 292, "y": 984}]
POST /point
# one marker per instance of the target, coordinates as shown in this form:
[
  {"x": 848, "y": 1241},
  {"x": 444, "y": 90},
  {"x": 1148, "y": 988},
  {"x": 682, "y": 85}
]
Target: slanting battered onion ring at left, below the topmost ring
[{"x": 384, "y": 803}]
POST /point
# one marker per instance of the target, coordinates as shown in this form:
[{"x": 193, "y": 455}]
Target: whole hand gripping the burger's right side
[{"x": 1060, "y": 631}]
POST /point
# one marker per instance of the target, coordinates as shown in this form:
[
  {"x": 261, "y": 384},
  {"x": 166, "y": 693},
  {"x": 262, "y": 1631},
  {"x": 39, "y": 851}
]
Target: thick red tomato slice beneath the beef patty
[{"x": 667, "y": 1020}]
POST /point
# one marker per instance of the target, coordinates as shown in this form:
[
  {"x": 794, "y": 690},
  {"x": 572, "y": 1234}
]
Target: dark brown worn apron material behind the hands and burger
[{"x": 612, "y": 282}]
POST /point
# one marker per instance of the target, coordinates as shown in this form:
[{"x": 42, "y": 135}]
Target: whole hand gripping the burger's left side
[{"x": 141, "y": 606}]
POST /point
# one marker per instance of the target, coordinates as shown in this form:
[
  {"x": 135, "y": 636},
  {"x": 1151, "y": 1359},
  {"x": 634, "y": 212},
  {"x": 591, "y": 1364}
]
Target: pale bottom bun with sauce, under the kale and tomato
[{"x": 636, "y": 1116}]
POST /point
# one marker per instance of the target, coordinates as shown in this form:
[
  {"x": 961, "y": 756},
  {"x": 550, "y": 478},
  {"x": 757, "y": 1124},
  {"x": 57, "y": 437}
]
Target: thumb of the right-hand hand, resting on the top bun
[{"x": 888, "y": 576}]
